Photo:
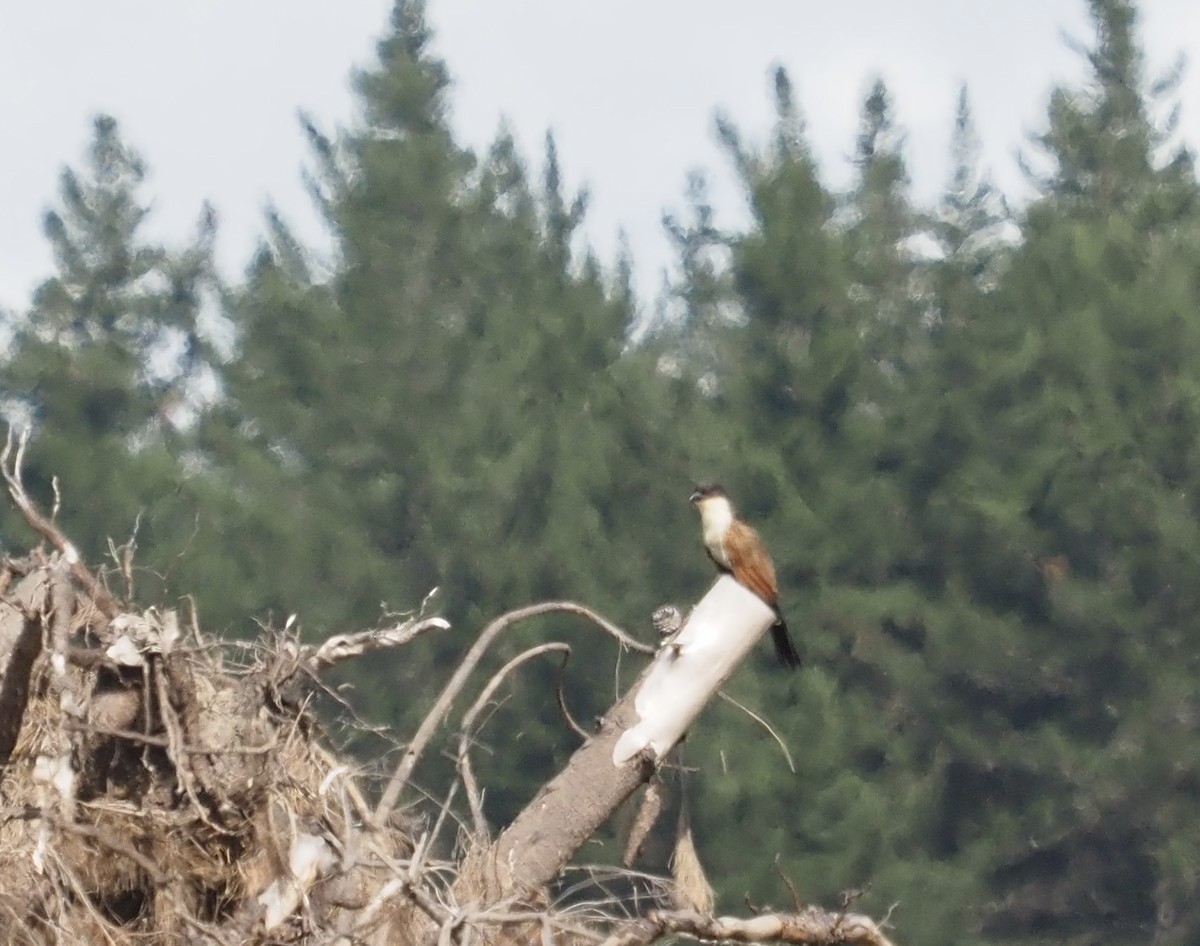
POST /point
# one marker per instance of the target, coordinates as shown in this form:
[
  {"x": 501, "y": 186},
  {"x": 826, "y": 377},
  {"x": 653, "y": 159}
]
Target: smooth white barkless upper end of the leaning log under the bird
[{"x": 691, "y": 668}]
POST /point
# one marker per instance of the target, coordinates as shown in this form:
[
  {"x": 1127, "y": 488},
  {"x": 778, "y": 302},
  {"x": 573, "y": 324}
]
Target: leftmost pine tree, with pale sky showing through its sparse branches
[{"x": 115, "y": 360}]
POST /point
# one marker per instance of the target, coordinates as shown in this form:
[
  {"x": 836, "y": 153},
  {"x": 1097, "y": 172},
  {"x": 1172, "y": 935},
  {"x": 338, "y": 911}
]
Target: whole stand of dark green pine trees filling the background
[{"x": 969, "y": 435}]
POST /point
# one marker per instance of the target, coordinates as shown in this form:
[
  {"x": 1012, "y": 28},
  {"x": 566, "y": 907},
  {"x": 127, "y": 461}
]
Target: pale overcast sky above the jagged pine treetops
[{"x": 208, "y": 92}]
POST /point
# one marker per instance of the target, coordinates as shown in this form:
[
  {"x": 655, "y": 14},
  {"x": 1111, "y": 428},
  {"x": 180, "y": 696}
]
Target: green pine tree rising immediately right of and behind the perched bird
[{"x": 788, "y": 423}]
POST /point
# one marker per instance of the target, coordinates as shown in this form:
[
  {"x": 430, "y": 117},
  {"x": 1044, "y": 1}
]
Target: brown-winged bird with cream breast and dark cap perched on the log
[{"x": 737, "y": 550}]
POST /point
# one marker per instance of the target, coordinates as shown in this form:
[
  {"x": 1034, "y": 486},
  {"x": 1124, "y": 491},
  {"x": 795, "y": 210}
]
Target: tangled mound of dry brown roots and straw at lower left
[{"x": 158, "y": 789}]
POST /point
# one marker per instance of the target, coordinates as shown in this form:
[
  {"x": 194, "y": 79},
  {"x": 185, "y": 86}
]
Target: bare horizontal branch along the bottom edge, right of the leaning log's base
[{"x": 811, "y": 927}]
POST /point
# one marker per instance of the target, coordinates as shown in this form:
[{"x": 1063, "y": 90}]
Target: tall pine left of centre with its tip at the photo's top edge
[{"x": 343, "y": 385}]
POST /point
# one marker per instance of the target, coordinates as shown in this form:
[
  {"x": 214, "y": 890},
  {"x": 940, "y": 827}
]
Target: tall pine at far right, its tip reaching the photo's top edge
[{"x": 1049, "y": 481}]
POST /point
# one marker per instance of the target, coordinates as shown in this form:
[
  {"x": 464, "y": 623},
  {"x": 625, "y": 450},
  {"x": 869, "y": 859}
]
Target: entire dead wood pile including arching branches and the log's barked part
[{"x": 160, "y": 787}]
